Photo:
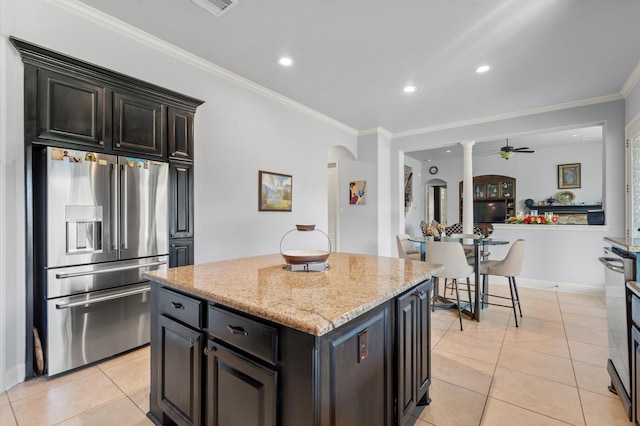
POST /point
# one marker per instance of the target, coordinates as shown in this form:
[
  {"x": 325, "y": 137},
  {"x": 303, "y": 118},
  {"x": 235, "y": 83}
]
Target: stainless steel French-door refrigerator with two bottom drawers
[{"x": 105, "y": 222}]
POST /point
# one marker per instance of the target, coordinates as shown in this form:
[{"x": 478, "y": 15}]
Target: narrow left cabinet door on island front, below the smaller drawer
[{"x": 180, "y": 361}]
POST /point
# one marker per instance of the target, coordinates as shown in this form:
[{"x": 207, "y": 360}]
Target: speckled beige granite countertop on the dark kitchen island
[{"x": 312, "y": 302}]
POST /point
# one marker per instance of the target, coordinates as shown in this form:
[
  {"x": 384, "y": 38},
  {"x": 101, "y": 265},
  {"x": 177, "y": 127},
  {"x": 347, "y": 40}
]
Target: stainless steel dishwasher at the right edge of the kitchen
[{"x": 619, "y": 268}]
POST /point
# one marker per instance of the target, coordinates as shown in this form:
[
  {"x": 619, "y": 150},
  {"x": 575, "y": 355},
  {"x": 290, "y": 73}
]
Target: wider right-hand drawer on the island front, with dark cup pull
[{"x": 253, "y": 337}]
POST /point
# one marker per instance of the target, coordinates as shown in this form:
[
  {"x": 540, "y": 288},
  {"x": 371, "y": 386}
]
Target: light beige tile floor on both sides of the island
[{"x": 549, "y": 371}]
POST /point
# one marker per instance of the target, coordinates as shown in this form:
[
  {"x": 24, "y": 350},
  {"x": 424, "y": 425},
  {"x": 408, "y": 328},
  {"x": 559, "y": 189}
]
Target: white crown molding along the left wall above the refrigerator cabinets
[{"x": 147, "y": 39}]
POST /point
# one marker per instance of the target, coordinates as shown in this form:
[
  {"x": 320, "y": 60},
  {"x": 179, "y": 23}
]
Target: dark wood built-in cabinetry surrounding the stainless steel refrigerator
[{"x": 73, "y": 104}]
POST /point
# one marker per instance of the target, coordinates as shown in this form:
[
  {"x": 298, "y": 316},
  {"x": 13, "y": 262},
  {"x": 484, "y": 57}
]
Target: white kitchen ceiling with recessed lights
[{"x": 353, "y": 57}]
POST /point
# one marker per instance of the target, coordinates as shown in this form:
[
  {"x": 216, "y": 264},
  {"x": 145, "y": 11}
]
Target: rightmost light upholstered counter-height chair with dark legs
[{"x": 509, "y": 267}]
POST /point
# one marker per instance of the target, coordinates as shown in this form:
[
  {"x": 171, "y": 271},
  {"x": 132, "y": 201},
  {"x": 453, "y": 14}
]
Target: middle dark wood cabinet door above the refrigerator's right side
[{"x": 138, "y": 124}]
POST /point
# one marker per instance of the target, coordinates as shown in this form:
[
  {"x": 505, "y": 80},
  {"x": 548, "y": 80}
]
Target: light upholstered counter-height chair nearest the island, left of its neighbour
[{"x": 451, "y": 255}]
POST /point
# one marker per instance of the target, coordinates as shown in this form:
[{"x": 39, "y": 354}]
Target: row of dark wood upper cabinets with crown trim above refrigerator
[{"x": 72, "y": 102}]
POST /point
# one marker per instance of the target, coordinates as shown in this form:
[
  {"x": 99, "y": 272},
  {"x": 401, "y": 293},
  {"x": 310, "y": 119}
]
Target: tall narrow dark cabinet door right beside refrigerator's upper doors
[{"x": 181, "y": 200}]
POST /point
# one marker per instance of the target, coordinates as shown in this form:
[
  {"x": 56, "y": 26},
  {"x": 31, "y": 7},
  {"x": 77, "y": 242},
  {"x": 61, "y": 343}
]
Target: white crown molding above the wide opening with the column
[{"x": 515, "y": 114}]
